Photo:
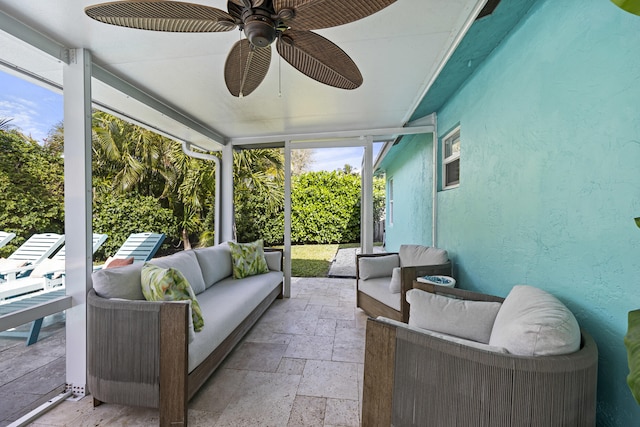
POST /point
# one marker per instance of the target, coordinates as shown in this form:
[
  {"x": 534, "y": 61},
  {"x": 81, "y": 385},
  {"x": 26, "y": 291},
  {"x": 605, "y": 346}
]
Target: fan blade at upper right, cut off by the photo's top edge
[{"x": 317, "y": 14}]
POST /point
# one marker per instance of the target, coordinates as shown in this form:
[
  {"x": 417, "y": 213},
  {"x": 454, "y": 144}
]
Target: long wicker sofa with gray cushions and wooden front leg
[{"x": 144, "y": 353}]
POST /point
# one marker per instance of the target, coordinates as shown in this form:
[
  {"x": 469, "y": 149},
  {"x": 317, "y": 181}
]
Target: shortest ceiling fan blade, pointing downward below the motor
[{"x": 246, "y": 67}]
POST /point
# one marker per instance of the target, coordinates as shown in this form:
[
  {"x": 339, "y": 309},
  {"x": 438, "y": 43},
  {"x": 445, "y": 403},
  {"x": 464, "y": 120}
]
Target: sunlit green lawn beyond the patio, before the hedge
[{"x": 314, "y": 260}]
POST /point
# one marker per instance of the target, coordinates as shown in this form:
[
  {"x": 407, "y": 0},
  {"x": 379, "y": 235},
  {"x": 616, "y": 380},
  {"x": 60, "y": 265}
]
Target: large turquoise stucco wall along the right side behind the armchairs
[{"x": 550, "y": 175}]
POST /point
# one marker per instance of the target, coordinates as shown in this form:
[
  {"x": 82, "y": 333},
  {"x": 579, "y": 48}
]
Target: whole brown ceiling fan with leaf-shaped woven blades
[{"x": 287, "y": 22}]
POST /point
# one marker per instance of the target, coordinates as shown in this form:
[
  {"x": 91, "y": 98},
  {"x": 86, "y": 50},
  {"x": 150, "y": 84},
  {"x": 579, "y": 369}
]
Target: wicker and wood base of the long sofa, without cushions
[{"x": 159, "y": 377}]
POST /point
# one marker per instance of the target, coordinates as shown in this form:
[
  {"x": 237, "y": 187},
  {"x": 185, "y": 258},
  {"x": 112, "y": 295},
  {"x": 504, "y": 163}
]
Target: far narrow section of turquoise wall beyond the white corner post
[{"x": 412, "y": 182}]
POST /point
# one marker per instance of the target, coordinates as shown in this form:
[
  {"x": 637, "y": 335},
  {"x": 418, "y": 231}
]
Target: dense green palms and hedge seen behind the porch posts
[{"x": 145, "y": 182}]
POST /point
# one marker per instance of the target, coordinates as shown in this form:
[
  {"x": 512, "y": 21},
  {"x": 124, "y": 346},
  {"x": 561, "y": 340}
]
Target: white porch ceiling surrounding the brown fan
[{"x": 398, "y": 50}]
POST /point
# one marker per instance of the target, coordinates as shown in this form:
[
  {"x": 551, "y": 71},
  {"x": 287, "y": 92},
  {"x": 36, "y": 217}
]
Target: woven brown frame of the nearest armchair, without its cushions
[{"x": 415, "y": 379}]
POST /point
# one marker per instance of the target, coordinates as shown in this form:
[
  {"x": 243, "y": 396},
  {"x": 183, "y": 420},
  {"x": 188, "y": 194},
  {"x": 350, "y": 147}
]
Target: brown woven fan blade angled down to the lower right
[{"x": 319, "y": 58}]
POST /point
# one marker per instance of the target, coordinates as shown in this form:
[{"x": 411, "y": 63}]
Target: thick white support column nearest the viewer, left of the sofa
[{"x": 77, "y": 206}]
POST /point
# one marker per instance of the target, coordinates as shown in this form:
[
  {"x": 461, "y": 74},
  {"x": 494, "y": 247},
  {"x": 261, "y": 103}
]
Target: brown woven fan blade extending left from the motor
[{"x": 162, "y": 15}]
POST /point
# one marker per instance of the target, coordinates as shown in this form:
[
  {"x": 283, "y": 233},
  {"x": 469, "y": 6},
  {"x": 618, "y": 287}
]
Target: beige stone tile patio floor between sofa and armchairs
[{"x": 301, "y": 365}]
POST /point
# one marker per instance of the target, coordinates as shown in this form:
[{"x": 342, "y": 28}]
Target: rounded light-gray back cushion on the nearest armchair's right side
[{"x": 533, "y": 322}]
